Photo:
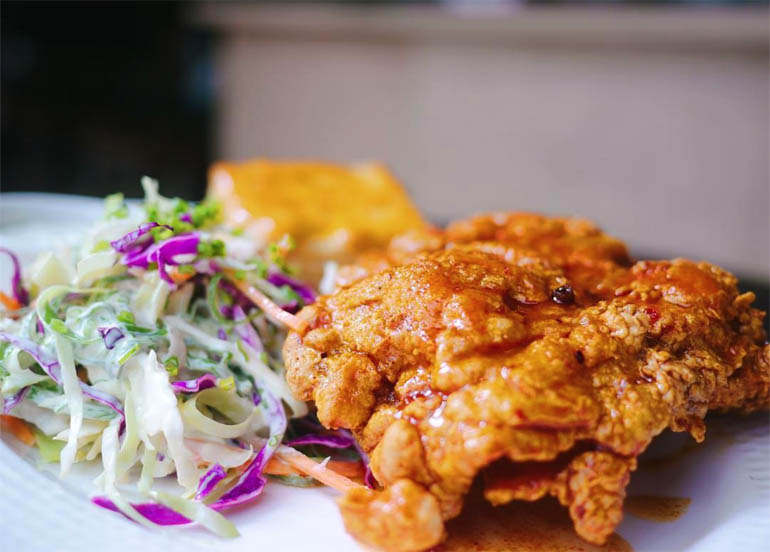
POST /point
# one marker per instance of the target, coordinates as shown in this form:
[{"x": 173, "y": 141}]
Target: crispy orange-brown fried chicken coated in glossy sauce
[{"x": 525, "y": 350}]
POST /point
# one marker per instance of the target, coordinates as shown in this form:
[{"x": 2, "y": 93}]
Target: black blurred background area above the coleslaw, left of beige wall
[{"x": 95, "y": 95}]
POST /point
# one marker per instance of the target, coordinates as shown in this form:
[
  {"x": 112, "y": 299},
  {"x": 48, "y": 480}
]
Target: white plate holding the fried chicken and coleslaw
[{"x": 727, "y": 477}]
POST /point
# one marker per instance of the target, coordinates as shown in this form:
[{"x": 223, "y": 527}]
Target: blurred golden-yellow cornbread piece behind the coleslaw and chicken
[{"x": 333, "y": 212}]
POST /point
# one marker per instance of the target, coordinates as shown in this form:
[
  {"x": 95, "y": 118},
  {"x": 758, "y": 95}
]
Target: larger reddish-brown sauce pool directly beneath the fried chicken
[{"x": 542, "y": 526}]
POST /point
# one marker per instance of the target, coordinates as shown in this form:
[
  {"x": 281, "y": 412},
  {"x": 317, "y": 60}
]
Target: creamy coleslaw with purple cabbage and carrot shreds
[{"x": 155, "y": 347}]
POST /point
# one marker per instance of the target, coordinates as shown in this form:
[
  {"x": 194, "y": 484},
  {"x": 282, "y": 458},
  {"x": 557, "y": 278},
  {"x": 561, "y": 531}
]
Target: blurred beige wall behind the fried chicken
[{"x": 656, "y": 128}]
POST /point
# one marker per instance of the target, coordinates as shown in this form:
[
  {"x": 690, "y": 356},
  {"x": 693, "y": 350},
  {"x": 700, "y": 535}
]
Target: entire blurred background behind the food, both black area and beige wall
[{"x": 650, "y": 118}]
